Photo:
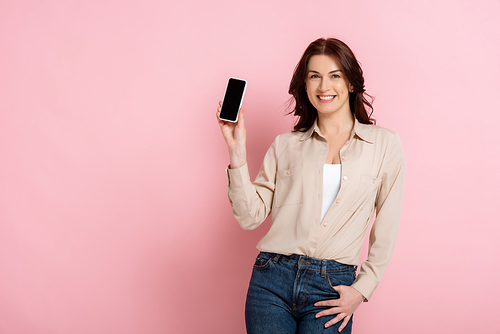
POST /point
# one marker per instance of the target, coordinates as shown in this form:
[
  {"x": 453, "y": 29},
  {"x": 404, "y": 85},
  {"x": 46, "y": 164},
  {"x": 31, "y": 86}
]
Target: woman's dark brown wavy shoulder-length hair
[{"x": 358, "y": 101}]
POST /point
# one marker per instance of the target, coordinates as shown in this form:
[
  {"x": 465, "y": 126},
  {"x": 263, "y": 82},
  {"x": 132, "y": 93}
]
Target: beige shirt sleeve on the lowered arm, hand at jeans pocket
[{"x": 385, "y": 227}]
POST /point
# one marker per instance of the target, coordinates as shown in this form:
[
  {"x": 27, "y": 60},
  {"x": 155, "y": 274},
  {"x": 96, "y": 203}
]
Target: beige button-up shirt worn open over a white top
[{"x": 289, "y": 186}]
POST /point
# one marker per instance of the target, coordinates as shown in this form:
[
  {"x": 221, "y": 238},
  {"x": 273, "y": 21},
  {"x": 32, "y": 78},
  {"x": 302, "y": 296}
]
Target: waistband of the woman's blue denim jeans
[{"x": 307, "y": 262}]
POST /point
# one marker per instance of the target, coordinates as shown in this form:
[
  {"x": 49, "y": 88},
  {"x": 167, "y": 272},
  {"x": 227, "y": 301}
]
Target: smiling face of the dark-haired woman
[{"x": 326, "y": 85}]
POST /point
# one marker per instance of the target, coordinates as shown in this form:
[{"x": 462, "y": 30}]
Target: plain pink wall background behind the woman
[{"x": 113, "y": 208}]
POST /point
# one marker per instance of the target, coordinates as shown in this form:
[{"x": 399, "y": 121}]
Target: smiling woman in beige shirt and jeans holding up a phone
[{"x": 321, "y": 183}]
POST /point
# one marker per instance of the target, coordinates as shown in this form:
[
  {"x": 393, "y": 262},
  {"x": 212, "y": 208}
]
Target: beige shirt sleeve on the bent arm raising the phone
[{"x": 252, "y": 202}]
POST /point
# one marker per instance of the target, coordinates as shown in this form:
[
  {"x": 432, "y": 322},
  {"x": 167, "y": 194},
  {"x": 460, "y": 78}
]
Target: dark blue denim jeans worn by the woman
[{"x": 283, "y": 290}]
